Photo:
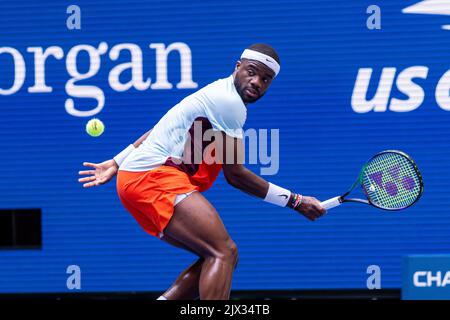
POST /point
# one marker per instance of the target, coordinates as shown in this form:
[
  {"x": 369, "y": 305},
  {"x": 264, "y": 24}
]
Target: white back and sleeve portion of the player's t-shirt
[{"x": 218, "y": 104}]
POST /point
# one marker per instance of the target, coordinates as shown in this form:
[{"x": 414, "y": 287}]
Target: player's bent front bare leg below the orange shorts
[{"x": 196, "y": 225}]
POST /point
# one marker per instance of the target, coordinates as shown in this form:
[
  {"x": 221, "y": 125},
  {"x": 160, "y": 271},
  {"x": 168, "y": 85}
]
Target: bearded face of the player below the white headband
[{"x": 252, "y": 79}]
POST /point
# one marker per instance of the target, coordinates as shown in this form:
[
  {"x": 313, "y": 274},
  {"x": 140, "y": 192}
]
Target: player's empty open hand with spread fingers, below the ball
[{"x": 103, "y": 172}]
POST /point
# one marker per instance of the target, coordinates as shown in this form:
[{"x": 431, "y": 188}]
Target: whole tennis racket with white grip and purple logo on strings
[{"x": 390, "y": 180}]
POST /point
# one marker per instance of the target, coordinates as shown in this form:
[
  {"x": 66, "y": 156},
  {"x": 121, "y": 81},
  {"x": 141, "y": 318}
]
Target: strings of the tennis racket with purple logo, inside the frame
[{"x": 390, "y": 180}]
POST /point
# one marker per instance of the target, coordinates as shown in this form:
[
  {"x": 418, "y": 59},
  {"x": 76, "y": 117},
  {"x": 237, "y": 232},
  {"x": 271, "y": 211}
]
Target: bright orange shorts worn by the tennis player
[{"x": 150, "y": 195}]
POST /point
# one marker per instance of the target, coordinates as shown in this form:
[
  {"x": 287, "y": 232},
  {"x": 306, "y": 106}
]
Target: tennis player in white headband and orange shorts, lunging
[{"x": 160, "y": 177}]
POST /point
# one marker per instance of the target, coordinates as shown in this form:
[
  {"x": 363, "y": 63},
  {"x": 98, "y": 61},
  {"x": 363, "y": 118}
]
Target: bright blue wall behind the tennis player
[{"x": 324, "y": 138}]
